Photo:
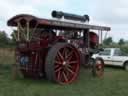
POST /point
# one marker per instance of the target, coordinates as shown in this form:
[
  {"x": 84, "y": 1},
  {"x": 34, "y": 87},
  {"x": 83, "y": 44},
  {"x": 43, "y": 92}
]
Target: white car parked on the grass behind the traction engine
[{"x": 113, "y": 56}]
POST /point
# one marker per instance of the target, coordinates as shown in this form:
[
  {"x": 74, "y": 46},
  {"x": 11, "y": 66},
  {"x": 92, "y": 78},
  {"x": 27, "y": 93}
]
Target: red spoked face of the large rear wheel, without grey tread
[{"x": 67, "y": 63}]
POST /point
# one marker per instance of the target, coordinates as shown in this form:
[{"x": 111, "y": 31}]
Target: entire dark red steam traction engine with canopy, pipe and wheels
[{"x": 55, "y": 49}]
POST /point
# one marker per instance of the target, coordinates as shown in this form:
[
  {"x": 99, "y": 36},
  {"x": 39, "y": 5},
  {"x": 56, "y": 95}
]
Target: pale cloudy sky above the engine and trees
[{"x": 113, "y": 13}]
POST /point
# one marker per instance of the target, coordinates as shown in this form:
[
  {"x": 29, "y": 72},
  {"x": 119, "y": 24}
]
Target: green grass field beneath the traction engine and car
[{"x": 114, "y": 83}]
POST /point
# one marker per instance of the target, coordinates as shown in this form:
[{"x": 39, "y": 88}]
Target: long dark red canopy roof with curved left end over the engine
[{"x": 56, "y": 24}]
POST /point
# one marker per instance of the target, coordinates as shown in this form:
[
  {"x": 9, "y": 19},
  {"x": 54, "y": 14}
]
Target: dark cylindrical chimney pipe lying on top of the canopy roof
[{"x": 69, "y": 16}]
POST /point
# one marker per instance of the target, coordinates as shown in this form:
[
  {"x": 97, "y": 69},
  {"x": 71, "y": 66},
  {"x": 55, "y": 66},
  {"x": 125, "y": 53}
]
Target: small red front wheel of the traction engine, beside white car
[{"x": 98, "y": 67}]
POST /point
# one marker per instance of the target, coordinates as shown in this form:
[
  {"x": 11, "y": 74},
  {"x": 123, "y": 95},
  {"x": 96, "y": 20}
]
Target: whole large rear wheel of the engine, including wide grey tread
[{"x": 62, "y": 63}]
